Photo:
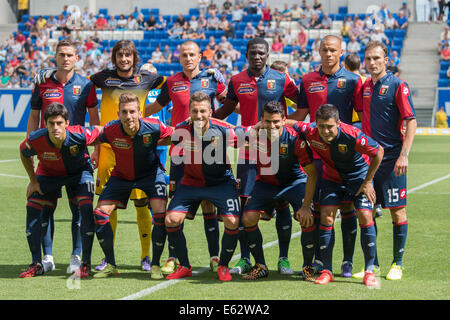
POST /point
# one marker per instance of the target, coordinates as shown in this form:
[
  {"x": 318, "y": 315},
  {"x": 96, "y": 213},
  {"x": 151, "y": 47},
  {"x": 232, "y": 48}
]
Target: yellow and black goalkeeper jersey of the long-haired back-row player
[{"x": 112, "y": 86}]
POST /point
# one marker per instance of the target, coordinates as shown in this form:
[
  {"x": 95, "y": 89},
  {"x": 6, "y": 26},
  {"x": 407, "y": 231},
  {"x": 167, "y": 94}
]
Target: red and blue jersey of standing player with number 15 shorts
[{"x": 384, "y": 106}]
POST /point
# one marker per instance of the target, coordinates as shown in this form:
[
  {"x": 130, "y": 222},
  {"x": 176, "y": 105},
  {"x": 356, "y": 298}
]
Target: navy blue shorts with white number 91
[{"x": 224, "y": 196}]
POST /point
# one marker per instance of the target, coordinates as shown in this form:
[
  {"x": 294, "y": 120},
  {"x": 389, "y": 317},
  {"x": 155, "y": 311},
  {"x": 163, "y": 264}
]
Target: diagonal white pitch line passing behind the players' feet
[{"x": 169, "y": 283}]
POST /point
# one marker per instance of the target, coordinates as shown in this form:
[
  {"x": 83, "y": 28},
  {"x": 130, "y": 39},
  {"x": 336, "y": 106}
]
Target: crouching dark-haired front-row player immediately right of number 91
[{"x": 282, "y": 160}]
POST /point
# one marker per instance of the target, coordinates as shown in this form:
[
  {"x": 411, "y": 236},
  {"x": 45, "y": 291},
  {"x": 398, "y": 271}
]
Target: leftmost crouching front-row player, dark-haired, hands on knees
[{"x": 63, "y": 161}]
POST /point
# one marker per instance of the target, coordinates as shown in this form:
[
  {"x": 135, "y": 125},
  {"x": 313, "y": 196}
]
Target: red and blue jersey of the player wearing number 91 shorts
[{"x": 205, "y": 157}]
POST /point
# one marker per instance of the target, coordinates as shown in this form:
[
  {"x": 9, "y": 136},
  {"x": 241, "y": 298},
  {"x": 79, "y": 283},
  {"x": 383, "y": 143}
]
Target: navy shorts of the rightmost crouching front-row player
[{"x": 333, "y": 194}]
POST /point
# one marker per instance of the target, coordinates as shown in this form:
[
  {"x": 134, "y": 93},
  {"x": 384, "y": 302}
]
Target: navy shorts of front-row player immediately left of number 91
[{"x": 118, "y": 190}]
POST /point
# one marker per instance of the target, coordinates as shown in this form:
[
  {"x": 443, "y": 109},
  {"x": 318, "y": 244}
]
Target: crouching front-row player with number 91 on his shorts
[{"x": 207, "y": 176}]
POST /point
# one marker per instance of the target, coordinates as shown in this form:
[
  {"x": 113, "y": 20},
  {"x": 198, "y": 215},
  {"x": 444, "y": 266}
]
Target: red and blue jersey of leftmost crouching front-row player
[{"x": 71, "y": 159}]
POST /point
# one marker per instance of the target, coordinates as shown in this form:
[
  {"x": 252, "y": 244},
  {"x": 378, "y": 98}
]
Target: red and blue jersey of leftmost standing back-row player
[{"x": 76, "y": 95}]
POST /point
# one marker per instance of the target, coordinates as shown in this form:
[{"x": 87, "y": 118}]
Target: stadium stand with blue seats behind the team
[{"x": 32, "y": 46}]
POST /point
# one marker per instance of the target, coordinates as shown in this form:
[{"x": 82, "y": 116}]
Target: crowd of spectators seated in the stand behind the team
[{"x": 21, "y": 55}]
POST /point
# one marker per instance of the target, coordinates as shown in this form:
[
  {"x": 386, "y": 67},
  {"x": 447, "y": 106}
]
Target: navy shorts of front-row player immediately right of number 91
[{"x": 265, "y": 196}]
